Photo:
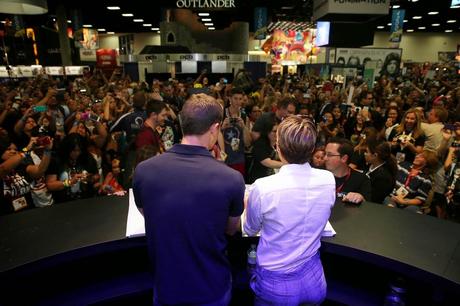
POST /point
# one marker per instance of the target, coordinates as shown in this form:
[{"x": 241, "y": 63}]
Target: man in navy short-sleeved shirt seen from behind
[{"x": 190, "y": 201}]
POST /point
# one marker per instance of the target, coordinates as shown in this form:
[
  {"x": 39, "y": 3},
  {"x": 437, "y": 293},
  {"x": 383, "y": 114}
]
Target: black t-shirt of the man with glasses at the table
[{"x": 355, "y": 182}]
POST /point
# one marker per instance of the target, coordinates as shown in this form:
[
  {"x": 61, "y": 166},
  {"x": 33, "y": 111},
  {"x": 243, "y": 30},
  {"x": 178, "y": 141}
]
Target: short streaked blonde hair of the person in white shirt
[{"x": 296, "y": 139}]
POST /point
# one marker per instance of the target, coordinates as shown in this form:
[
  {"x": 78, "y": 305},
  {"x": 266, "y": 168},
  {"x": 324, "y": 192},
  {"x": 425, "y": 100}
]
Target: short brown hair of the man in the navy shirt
[{"x": 199, "y": 112}]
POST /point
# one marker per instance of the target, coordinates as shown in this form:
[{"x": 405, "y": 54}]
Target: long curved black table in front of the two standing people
[{"x": 79, "y": 250}]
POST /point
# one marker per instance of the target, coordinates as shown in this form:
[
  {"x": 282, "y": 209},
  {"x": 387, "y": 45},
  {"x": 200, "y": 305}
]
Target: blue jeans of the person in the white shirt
[{"x": 306, "y": 285}]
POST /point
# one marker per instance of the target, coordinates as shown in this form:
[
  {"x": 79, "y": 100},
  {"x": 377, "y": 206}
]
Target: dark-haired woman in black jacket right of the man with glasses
[{"x": 382, "y": 169}]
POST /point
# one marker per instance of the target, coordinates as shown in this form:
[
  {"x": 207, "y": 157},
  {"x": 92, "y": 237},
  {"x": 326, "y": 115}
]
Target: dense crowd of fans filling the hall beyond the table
[{"x": 395, "y": 144}]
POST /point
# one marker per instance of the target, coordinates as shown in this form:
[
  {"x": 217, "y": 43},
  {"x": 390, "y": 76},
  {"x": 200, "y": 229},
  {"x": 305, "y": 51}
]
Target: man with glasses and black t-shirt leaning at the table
[{"x": 351, "y": 185}]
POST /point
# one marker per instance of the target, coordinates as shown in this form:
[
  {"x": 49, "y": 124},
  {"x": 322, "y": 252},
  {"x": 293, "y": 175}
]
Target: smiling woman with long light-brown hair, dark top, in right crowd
[{"x": 407, "y": 139}]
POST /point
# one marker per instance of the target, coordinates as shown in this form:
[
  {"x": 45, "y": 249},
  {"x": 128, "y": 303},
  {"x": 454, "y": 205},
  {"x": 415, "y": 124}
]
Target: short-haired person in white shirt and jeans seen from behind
[{"x": 290, "y": 210}]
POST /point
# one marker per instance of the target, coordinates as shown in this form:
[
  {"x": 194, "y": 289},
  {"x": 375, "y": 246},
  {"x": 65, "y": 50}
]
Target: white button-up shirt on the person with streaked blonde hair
[{"x": 290, "y": 209}]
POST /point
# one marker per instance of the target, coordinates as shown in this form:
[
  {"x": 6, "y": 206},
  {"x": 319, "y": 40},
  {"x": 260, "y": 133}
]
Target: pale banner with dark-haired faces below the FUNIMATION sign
[{"x": 388, "y": 60}]
